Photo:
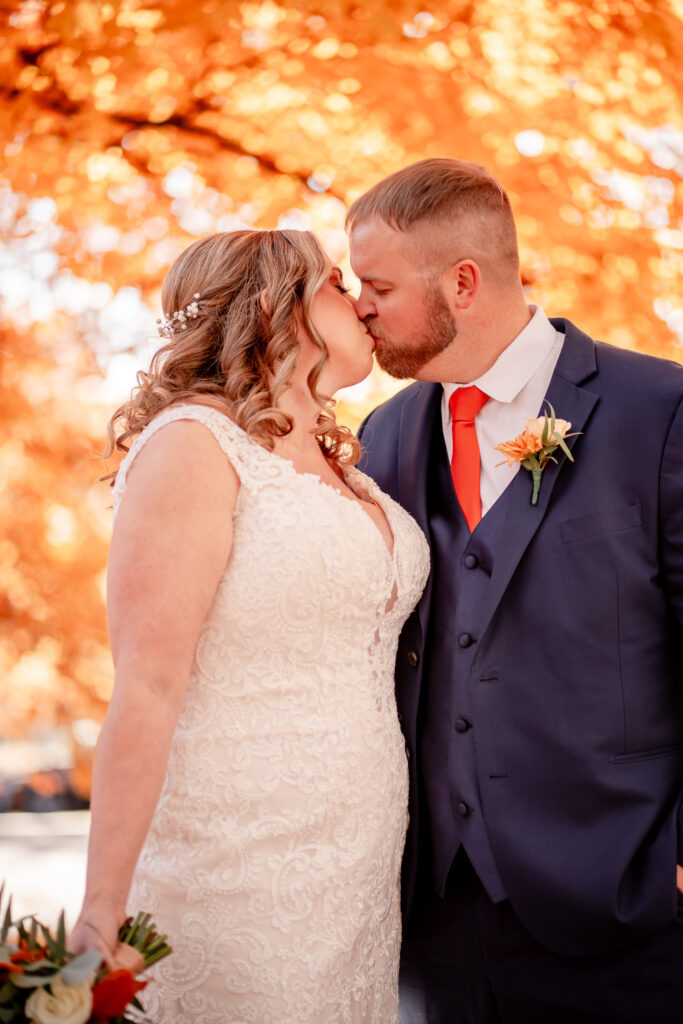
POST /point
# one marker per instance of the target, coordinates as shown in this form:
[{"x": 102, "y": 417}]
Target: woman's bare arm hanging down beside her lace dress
[{"x": 172, "y": 542}]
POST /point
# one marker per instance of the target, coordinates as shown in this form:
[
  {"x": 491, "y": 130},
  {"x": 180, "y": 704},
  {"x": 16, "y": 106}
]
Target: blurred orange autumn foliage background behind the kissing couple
[{"x": 133, "y": 127}]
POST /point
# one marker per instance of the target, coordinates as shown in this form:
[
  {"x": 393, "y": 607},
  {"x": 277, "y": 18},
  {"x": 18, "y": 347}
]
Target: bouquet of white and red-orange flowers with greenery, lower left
[{"x": 41, "y": 982}]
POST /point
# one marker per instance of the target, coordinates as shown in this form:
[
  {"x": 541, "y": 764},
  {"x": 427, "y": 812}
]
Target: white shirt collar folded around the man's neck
[{"x": 517, "y": 364}]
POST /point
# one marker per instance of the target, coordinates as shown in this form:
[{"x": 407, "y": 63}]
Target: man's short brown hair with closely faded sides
[{"x": 442, "y": 192}]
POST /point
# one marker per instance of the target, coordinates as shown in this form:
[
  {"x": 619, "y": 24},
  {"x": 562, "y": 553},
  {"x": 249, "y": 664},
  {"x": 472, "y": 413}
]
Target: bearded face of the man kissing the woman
[{"x": 405, "y": 312}]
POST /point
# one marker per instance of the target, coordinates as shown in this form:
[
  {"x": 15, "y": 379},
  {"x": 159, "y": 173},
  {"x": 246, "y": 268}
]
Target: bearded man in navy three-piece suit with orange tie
[{"x": 540, "y": 680}]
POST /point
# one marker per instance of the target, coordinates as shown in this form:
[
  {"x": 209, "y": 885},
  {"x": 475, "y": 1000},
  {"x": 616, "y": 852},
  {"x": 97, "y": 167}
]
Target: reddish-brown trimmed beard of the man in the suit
[{"x": 406, "y": 360}]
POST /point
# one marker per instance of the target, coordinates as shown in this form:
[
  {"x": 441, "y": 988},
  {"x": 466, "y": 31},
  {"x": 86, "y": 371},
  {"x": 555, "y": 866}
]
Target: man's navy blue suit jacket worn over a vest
[{"x": 578, "y": 673}]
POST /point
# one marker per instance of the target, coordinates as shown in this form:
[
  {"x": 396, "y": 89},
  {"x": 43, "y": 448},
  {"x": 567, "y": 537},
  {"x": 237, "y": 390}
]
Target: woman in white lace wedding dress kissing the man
[{"x": 250, "y": 788}]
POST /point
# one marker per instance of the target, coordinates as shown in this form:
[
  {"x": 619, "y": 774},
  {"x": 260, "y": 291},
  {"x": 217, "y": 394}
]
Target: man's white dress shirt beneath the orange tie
[{"x": 517, "y": 386}]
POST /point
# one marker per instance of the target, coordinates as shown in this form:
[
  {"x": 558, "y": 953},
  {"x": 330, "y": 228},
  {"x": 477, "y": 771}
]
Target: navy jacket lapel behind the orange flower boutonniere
[{"x": 573, "y": 403}]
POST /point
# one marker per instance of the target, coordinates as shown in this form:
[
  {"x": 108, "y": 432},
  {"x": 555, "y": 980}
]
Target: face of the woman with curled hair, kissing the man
[{"x": 350, "y": 345}]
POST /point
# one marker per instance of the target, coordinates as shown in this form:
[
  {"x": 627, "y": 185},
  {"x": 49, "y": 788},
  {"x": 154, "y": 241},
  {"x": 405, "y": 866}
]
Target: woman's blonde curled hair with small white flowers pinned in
[{"x": 239, "y": 352}]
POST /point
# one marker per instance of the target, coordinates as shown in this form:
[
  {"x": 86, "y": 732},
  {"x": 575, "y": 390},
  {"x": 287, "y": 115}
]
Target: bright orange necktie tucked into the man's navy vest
[{"x": 466, "y": 462}]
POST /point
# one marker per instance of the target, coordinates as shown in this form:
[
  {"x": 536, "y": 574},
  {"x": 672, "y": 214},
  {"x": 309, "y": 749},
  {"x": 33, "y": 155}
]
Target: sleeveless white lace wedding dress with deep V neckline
[{"x": 273, "y": 861}]
